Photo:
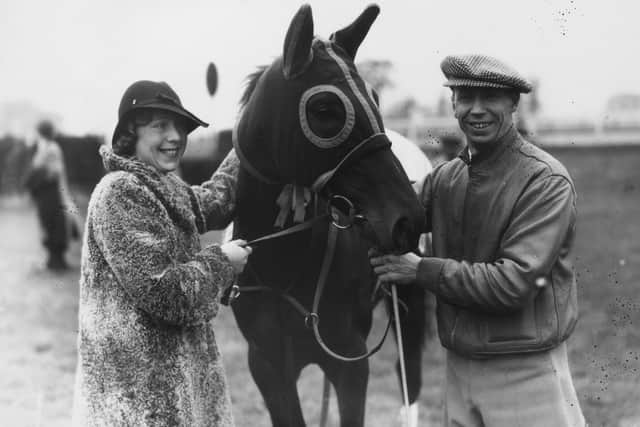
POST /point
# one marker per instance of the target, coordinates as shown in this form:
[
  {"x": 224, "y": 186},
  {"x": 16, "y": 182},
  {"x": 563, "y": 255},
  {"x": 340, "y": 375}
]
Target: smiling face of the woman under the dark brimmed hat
[{"x": 162, "y": 141}]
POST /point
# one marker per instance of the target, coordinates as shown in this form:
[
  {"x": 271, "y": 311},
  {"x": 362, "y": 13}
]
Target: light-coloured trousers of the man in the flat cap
[{"x": 525, "y": 390}]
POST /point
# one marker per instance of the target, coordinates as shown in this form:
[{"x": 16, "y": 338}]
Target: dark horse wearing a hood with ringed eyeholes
[{"x": 318, "y": 187}]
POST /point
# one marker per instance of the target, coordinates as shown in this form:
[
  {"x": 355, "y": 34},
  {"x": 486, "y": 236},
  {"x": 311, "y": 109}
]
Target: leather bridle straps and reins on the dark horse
[{"x": 341, "y": 215}]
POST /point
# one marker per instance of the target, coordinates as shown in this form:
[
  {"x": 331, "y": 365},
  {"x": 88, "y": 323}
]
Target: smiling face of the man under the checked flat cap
[{"x": 484, "y": 114}]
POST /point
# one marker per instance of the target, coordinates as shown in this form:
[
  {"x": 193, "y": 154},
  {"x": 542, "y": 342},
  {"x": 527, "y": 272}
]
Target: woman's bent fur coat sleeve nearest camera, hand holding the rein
[{"x": 138, "y": 242}]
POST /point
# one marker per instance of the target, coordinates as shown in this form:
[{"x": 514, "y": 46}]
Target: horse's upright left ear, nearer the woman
[{"x": 297, "y": 44}]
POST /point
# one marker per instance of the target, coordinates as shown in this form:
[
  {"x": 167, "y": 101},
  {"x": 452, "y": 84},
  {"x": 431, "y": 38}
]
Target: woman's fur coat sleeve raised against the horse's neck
[{"x": 217, "y": 196}]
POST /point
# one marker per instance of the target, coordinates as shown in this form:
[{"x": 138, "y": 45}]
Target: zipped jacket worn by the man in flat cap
[{"x": 503, "y": 225}]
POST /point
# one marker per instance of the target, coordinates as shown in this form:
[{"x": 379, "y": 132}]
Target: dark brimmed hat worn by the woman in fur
[{"x": 145, "y": 94}]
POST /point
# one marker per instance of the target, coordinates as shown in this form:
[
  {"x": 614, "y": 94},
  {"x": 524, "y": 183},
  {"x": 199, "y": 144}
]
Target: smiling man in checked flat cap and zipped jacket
[{"x": 502, "y": 217}]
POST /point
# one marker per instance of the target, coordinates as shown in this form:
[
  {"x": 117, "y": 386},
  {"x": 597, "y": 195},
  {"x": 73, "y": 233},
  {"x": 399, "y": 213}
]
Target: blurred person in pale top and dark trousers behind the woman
[{"x": 46, "y": 181}]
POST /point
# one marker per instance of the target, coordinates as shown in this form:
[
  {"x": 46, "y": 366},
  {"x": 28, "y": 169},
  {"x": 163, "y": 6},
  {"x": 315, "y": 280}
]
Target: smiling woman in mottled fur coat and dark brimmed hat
[{"x": 148, "y": 291}]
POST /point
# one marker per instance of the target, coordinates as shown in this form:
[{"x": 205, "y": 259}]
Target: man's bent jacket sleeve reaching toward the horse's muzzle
[{"x": 542, "y": 223}]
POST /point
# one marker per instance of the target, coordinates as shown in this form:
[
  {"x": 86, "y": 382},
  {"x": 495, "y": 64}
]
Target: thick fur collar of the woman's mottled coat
[{"x": 175, "y": 195}]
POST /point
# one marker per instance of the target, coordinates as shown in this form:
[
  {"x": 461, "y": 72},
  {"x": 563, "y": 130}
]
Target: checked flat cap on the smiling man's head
[{"x": 482, "y": 71}]
